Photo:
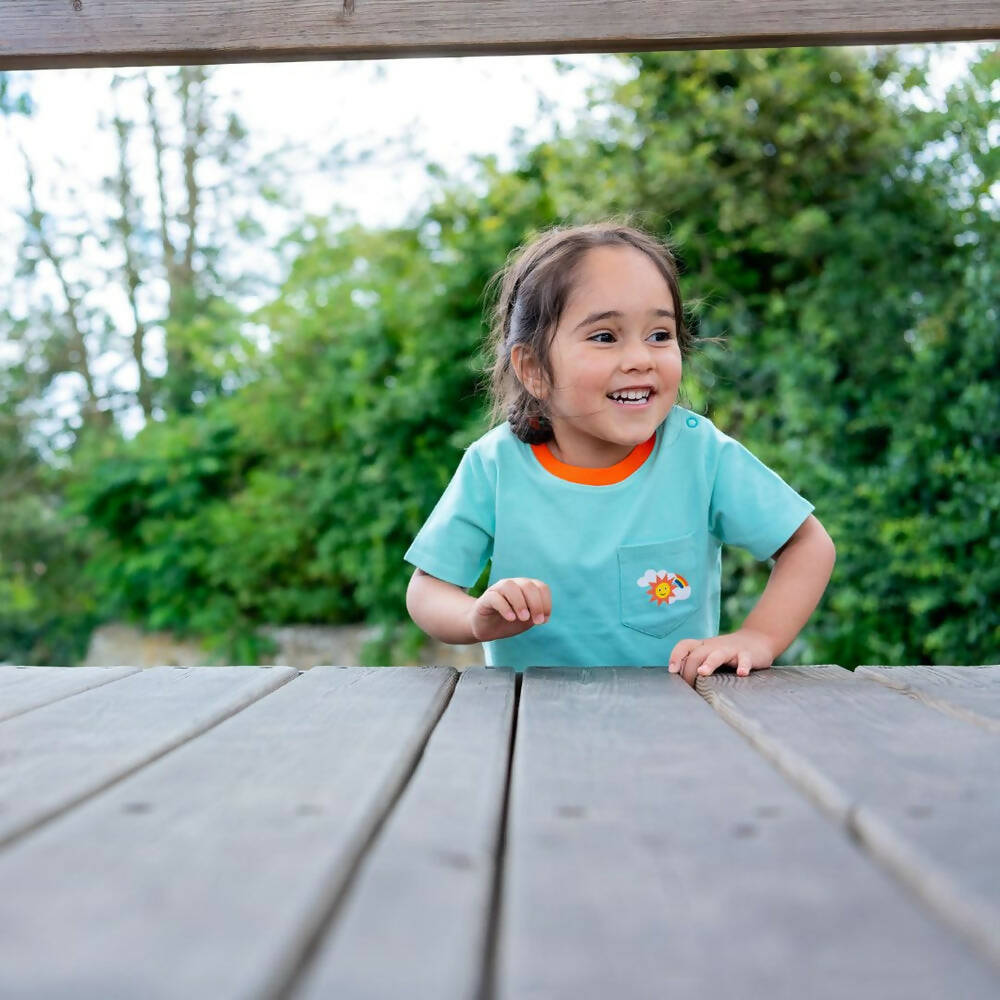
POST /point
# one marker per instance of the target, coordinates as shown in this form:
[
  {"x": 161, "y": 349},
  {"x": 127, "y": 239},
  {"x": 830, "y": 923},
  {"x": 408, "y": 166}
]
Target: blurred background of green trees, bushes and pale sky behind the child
[{"x": 243, "y": 310}]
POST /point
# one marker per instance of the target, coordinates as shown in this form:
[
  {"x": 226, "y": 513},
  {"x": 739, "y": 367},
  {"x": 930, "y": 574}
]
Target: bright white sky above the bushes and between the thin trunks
[{"x": 445, "y": 109}]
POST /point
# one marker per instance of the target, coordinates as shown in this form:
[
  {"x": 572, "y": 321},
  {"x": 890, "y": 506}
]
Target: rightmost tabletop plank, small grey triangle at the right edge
[{"x": 969, "y": 693}]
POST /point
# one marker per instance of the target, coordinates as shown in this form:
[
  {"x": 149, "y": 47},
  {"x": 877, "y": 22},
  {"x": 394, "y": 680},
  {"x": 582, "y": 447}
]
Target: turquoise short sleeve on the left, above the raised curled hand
[{"x": 456, "y": 541}]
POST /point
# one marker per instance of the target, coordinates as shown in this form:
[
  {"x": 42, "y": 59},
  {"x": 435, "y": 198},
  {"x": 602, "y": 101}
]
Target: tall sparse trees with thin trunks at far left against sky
[{"x": 114, "y": 319}]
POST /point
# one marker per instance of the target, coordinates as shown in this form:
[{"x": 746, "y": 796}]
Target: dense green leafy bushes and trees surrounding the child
[{"x": 840, "y": 240}]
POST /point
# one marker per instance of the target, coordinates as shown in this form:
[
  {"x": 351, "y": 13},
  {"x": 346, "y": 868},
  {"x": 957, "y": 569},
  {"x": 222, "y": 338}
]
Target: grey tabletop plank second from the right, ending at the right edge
[{"x": 918, "y": 788}]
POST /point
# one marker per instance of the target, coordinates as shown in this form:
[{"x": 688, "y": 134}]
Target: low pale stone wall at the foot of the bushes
[{"x": 300, "y": 646}]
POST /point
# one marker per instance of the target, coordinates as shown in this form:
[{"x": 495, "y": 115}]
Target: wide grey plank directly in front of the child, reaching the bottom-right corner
[{"x": 651, "y": 852}]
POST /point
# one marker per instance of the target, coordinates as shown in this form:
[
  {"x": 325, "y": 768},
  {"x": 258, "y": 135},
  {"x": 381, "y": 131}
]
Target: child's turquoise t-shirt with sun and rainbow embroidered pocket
[{"x": 634, "y": 566}]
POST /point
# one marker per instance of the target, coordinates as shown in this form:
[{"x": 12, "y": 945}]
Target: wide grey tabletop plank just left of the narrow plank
[{"x": 208, "y": 872}]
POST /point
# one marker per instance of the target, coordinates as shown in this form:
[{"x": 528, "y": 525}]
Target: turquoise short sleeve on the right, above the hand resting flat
[{"x": 752, "y": 506}]
